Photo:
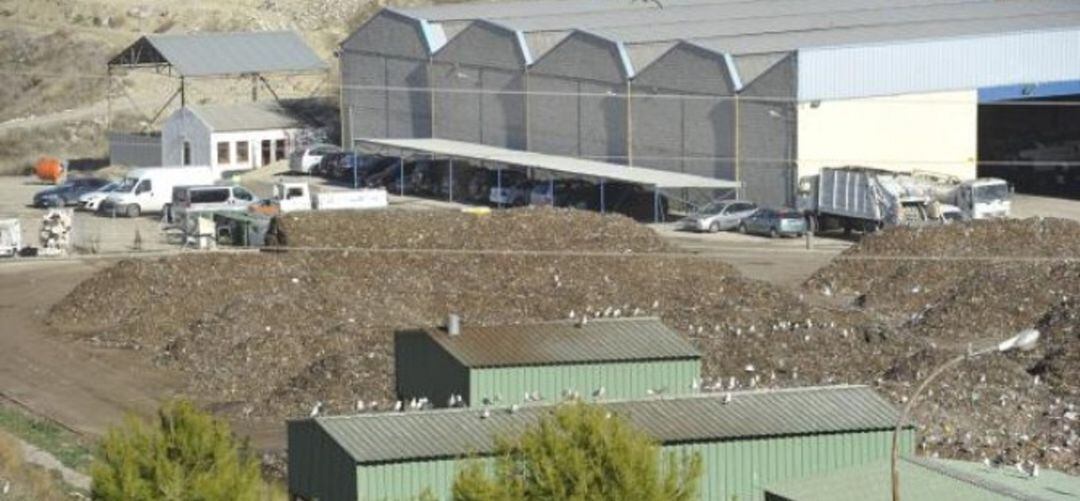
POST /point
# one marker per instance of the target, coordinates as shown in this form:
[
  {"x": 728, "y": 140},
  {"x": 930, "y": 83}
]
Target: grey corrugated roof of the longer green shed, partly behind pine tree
[{"x": 453, "y": 434}]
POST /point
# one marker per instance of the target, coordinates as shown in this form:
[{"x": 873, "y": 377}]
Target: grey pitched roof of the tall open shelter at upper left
[{"x": 223, "y": 53}]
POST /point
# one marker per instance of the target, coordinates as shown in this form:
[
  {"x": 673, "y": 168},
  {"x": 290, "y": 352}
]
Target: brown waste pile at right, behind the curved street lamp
[{"x": 997, "y": 278}]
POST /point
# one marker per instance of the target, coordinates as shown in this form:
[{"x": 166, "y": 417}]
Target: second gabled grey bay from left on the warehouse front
[{"x": 479, "y": 85}]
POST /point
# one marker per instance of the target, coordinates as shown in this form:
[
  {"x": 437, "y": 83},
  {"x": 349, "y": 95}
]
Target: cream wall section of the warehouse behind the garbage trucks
[{"x": 927, "y": 132}]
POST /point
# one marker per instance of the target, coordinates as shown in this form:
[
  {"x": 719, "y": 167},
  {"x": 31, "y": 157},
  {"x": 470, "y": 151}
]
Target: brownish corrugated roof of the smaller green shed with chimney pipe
[{"x": 565, "y": 343}]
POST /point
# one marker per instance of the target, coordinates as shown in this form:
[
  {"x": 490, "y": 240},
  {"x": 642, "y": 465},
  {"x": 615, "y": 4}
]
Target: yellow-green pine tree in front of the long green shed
[{"x": 580, "y": 453}]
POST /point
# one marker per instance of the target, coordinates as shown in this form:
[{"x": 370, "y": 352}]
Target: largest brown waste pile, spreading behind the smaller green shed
[{"x": 267, "y": 335}]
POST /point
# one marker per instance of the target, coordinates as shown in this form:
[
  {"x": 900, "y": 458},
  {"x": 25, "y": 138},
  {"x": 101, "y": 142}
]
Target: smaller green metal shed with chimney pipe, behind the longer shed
[{"x": 627, "y": 358}]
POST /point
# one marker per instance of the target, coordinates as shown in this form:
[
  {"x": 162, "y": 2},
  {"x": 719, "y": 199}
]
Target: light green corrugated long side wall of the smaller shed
[{"x": 620, "y": 381}]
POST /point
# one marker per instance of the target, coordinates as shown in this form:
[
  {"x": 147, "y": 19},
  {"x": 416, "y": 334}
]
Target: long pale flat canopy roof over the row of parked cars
[{"x": 561, "y": 165}]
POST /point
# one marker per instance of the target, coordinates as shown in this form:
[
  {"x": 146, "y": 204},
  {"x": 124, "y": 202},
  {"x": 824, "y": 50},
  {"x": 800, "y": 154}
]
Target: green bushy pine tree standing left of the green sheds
[{"x": 187, "y": 456}]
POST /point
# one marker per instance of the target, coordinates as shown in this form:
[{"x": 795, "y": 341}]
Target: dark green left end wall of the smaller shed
[{"x": 424, "y": 370}]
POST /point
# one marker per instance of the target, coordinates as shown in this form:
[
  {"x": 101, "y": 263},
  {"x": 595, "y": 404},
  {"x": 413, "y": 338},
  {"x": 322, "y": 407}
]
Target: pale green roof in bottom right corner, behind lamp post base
[{"x": 931, "y": 479}]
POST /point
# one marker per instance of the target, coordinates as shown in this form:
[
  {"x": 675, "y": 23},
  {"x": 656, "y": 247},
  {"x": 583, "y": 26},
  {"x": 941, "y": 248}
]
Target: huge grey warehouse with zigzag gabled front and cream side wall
[{"x": 760, "y": 92}]
